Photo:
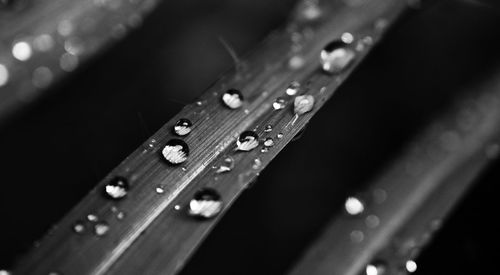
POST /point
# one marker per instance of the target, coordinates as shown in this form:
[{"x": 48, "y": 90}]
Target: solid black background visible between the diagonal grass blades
[{"x": 55, "y": 152}]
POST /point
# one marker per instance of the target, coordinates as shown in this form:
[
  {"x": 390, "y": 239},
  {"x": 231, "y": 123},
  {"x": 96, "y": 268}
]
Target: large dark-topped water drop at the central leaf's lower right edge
[{"x": 206, "y": 204}]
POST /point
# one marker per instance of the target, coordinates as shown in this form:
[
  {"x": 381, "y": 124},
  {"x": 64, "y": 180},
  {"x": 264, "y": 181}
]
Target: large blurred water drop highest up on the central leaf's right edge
[{"x": 336, "y": 57}]
